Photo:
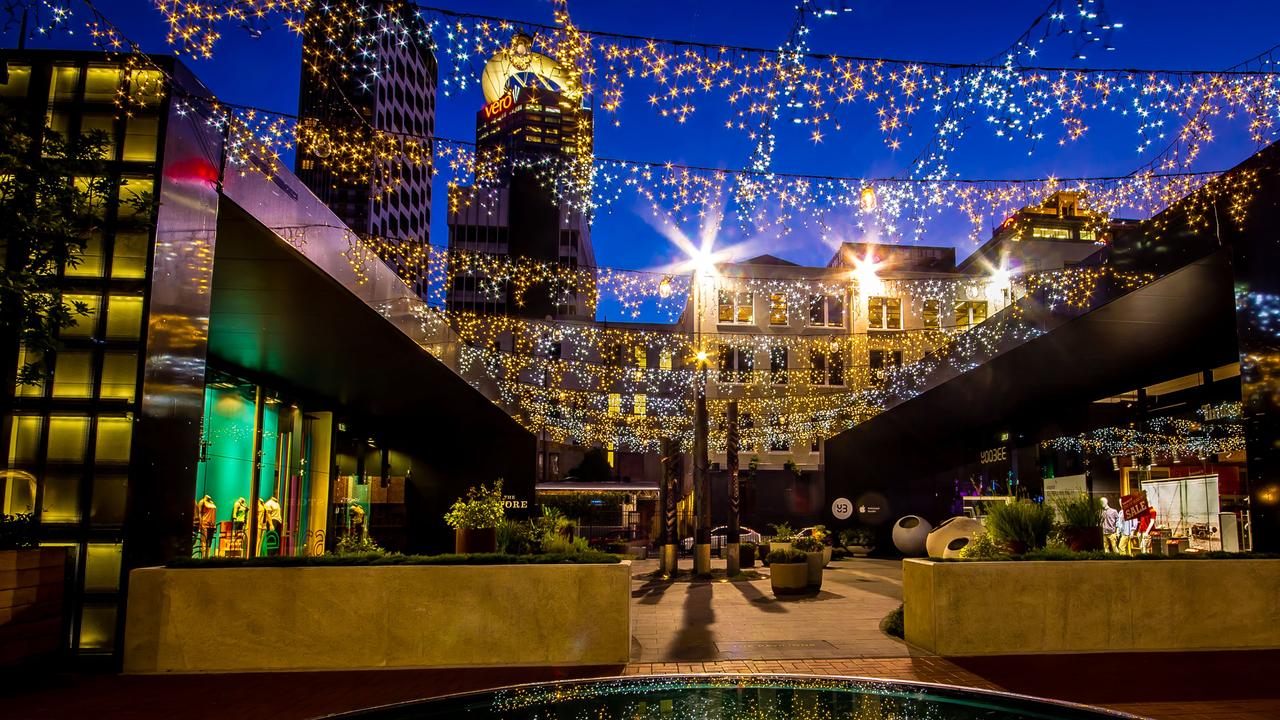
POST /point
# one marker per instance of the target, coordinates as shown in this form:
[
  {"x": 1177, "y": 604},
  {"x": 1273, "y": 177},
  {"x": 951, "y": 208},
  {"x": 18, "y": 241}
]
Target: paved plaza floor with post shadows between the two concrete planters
[{"x": 696, "y": 621}]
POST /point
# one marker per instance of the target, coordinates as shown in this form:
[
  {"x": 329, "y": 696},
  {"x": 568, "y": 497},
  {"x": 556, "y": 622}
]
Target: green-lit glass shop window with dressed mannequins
[{"x": 257, "y": 491}]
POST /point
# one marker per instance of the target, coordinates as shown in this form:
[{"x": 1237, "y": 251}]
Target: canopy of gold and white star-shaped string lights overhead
[{"x": 629, "y": 388}]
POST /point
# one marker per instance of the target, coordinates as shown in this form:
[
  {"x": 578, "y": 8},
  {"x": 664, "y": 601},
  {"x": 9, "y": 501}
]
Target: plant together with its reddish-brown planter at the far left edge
[{"x": 33, "y": 582}]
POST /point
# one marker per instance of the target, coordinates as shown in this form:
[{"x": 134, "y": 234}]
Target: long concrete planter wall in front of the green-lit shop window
[{"x": 253, "y": 619}]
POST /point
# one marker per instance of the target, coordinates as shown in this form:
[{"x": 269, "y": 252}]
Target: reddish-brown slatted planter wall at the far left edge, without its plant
[{"x": 33, "y": 585}]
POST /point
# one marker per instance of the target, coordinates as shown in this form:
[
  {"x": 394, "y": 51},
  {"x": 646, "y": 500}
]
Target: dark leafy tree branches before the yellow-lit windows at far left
[{"x": 52, "y": 199}]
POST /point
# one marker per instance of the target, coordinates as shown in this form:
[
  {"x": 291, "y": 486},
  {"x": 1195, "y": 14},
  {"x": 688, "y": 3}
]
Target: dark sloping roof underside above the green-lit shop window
[{"x": 275, "y": 315}]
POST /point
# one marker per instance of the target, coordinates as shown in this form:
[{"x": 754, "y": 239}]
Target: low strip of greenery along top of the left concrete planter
[{"x": 396, "y": 559}]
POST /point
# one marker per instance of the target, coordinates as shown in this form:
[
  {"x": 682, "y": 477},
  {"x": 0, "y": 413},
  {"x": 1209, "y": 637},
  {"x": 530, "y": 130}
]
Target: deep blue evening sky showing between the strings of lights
[{"x": 1172, "y": 34}]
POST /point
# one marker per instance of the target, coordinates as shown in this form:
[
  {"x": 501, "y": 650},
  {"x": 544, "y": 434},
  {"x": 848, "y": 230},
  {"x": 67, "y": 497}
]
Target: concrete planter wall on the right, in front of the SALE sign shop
[{"x": 957, "y": 609}]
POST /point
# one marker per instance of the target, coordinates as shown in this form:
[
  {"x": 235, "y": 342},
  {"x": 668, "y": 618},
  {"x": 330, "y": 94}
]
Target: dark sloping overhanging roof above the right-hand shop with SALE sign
[{"x": 1180, "y": 325}]
